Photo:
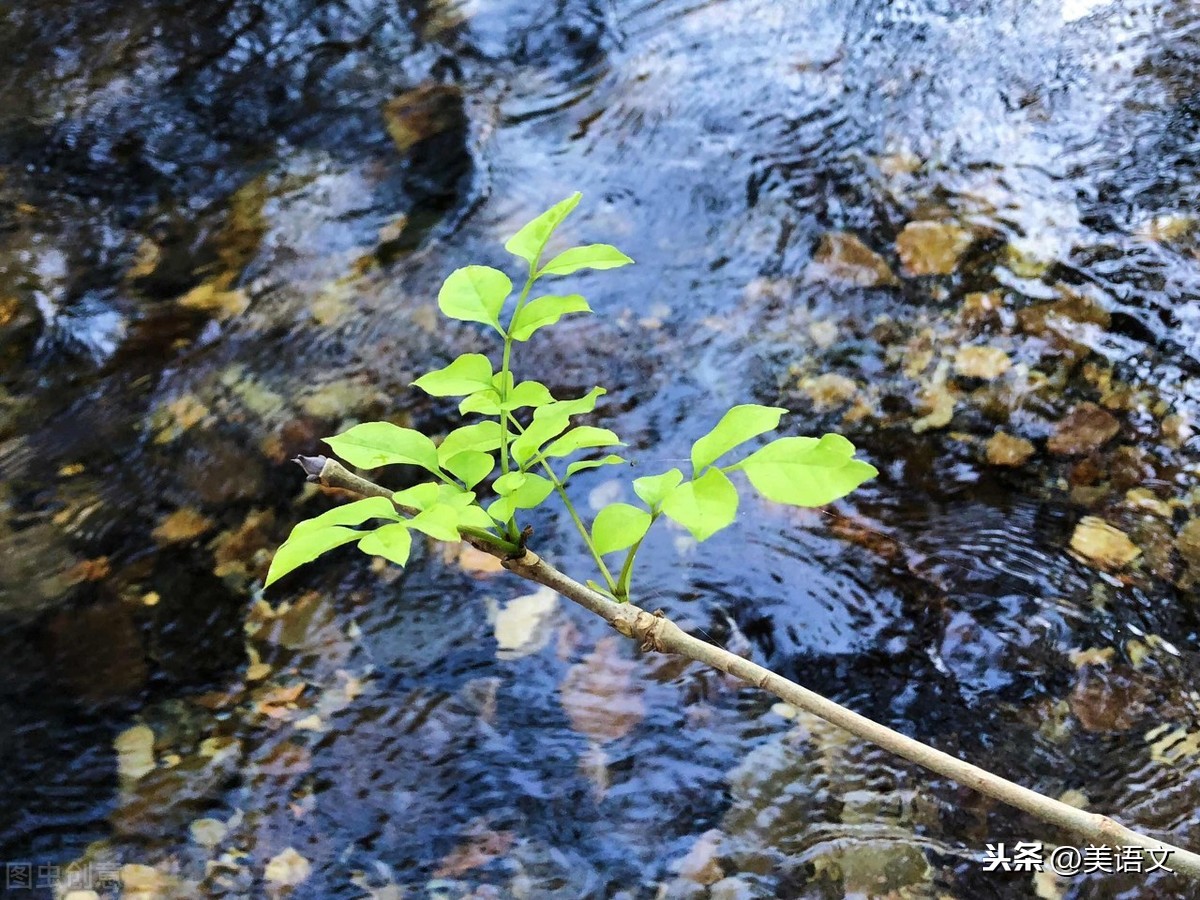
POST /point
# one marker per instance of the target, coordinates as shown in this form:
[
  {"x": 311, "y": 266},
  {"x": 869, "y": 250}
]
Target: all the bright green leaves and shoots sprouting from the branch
[{"x": 526, "y": 431}]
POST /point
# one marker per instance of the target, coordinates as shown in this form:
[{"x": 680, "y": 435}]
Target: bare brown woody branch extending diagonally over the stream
[{"x": 653, "y": 632}]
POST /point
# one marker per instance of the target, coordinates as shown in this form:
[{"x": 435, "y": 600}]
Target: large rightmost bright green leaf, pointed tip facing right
[{"x": 806, "y": 472}]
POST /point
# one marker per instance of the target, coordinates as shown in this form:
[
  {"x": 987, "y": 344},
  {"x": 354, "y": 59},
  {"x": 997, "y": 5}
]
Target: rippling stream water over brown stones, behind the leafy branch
[{"x": 224, "y": 227}]
